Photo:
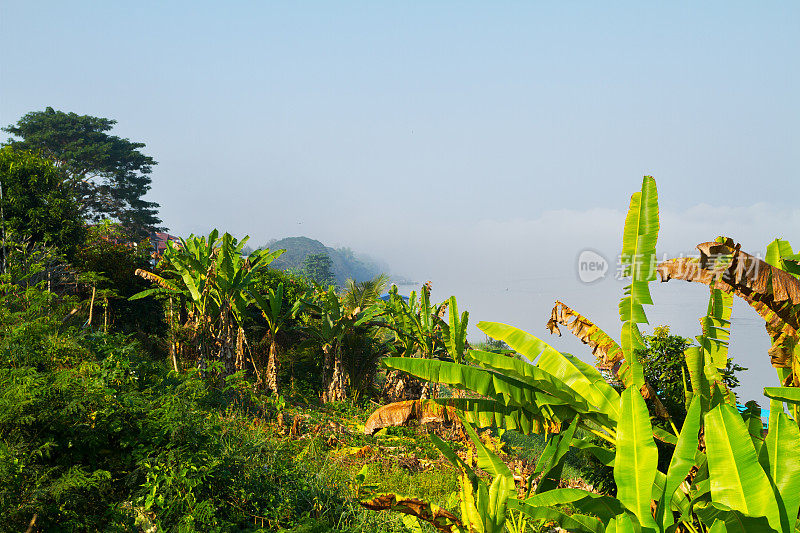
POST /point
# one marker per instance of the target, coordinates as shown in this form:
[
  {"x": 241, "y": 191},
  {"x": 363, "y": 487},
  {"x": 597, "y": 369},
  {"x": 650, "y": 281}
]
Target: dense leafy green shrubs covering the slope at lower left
[{"x": 97, "y": 435}]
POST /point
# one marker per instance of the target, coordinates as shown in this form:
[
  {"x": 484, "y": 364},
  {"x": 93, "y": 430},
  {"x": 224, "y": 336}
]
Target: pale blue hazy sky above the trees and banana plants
[{"x": 478, "y": 145}]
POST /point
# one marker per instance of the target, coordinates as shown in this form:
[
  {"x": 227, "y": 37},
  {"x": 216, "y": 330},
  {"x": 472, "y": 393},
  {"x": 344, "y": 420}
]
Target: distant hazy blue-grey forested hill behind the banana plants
[{"x": 346, "y": 264}]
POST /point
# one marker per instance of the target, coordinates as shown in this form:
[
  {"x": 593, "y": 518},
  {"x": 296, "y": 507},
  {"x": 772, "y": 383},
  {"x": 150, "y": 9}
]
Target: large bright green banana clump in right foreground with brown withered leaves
[{"x": 723, "y": 476}]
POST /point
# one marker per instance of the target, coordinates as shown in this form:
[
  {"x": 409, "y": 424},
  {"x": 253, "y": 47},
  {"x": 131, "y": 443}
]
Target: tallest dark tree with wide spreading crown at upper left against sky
[{"x": 108, "y": 175}]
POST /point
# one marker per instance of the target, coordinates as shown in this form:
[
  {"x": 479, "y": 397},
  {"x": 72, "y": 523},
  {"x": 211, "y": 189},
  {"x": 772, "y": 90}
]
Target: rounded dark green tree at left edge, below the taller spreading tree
[{"x": 36, "y": 204}]
